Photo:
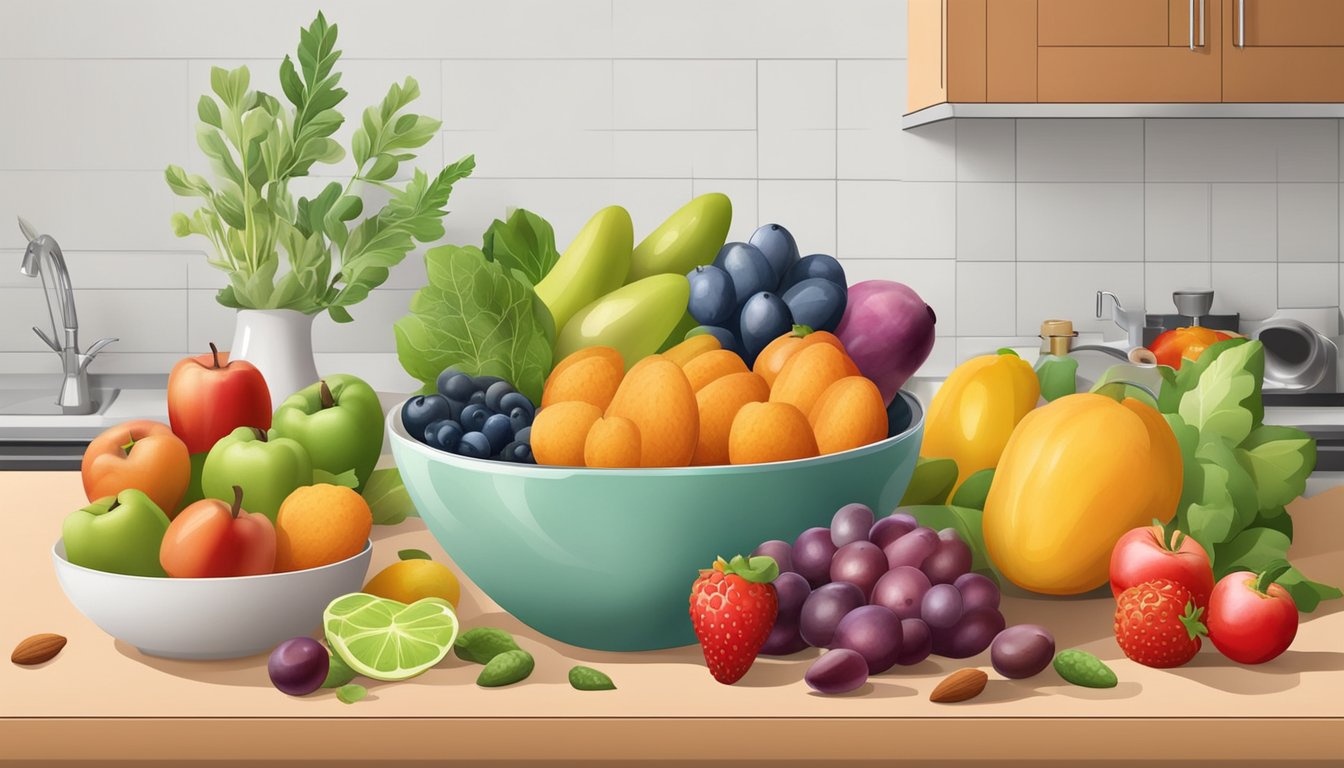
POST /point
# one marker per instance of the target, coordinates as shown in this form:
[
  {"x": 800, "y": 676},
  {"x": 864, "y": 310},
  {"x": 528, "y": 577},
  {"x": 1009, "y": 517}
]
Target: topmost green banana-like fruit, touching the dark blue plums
[{"x": 689, "y": 239}]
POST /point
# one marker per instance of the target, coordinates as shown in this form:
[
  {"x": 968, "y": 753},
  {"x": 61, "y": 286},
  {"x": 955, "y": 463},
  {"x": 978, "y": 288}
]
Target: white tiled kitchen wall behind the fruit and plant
[{"x": 791, "y": 107}]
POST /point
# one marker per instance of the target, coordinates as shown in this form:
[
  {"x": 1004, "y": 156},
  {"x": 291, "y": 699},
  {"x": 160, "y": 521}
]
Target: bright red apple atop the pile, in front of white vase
[{"x": 209, "y": 397}]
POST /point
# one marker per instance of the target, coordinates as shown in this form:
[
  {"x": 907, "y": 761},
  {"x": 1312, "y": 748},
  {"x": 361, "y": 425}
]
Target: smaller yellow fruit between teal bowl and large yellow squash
[{"x": 975, "y": 412}]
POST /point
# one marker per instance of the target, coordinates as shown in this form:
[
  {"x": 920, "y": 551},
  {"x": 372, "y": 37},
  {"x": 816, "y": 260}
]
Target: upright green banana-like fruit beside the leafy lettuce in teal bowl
[{"x": 592, "y": 267}]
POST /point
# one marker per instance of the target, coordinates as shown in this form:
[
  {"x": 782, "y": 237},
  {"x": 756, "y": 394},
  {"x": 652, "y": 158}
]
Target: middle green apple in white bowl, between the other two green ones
[{"x": 267, "y": 467}]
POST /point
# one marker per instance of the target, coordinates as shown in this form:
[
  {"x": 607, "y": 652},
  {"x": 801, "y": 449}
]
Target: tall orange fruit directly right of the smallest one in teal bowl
[{"x": 658, "y": 397}]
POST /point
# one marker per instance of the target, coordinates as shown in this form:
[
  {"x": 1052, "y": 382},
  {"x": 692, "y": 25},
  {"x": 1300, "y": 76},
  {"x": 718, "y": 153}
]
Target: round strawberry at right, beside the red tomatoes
[{"x": 1158, "y": 623}]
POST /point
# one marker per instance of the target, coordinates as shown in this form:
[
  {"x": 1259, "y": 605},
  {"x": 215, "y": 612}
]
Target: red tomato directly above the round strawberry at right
[{"x": 1144, "y": 555}]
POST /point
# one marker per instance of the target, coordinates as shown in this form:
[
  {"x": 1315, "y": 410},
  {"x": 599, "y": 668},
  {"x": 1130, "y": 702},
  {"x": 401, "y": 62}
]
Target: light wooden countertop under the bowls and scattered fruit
[{"x": 101, "y": 699}]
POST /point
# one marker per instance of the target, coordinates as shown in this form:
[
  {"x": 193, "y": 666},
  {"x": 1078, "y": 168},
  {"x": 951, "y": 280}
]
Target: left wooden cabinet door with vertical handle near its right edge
[{"x": 1128, "y": 52}]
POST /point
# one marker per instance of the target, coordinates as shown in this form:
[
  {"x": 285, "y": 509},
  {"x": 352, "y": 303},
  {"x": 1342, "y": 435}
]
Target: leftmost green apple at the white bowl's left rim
[{"x": 119, "y": 535}]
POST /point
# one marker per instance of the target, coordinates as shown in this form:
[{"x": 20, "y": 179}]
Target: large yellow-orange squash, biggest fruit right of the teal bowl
[{"x": 1077, "y": 474}]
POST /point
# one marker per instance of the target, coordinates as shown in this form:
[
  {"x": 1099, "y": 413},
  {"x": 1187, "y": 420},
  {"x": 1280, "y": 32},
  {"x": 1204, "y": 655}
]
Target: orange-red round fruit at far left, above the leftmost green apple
[{"x": 143, "y": 455}]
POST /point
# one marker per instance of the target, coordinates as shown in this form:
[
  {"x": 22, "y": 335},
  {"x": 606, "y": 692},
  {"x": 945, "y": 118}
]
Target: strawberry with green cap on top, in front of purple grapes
[{"x": 733, "y": 609}]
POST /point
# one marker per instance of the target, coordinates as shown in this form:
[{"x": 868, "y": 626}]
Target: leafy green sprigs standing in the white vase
[{"x": 256, "y": 146}]
